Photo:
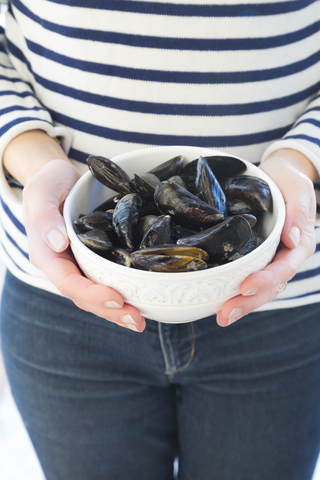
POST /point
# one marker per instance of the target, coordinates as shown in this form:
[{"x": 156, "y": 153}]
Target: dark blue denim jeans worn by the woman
[{"x": 104, "y": 403}]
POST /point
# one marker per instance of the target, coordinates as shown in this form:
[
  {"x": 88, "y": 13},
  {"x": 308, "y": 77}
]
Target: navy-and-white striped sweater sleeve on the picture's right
[{"x": 304, "y": 136}]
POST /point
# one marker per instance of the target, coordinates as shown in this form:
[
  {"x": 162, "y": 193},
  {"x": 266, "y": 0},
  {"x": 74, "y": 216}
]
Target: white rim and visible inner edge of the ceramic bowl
[{"x": 87, "y": 183}]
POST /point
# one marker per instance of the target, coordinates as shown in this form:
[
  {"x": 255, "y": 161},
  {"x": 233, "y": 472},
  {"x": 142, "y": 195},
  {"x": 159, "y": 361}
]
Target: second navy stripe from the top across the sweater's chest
[{"x": 173, "y": 43}]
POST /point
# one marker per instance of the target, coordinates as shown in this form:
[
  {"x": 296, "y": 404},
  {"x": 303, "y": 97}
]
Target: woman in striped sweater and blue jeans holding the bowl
[{"x": 99, "y": 401}]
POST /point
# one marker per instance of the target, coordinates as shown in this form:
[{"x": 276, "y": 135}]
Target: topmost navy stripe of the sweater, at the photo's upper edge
[{"x": 193, "y": 10}]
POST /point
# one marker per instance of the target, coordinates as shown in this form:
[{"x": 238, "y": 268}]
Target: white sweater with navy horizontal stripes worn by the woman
[{"x": 111, "y": 76}]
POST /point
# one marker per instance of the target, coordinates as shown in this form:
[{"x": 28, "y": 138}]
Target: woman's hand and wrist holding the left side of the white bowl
[{"x": 43, "y": 197}]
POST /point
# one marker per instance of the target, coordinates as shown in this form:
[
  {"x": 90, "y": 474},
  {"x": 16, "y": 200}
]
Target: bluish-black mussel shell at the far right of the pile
[{"x": 253, "y": 190}]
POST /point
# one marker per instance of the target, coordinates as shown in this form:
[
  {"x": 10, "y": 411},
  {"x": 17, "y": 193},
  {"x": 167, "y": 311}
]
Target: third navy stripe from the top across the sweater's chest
[{"x": 174, "y": 76}]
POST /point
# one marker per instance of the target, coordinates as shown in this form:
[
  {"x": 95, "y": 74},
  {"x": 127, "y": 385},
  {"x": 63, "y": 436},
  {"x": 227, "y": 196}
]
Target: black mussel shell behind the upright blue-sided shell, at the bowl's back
[{"x": 222, "y": 166}]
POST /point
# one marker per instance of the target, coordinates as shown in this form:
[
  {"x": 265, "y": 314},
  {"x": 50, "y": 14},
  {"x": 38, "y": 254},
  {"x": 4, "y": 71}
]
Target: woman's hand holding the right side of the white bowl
[{"x": 294, "y": 174}]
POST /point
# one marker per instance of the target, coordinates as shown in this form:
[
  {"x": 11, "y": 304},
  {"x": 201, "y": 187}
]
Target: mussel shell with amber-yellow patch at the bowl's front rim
[{"x": 168, "y": 263}]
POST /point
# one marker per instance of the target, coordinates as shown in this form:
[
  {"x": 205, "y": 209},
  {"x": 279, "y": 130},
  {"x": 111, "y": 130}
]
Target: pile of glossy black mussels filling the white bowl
[{"x": 177, "y": 217}]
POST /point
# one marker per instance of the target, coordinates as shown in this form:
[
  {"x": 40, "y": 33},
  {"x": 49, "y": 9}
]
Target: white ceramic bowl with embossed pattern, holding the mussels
[{"x": 170, "y": 297}]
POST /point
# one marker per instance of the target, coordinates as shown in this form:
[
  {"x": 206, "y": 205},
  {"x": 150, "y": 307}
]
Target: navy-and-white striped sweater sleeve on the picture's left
[{"x": 20, "y": 110}]
